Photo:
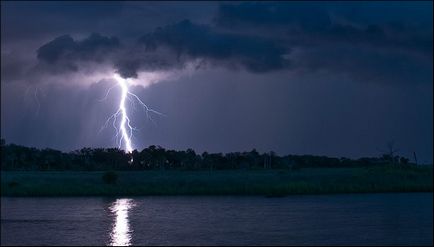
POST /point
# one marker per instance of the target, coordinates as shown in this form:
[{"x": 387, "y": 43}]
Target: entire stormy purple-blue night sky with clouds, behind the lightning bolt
[{"x": 337, "y": 79}]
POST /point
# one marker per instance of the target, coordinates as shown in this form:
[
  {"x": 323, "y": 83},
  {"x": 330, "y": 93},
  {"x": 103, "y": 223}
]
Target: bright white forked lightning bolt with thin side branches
[{"x": 124, "y": 131}]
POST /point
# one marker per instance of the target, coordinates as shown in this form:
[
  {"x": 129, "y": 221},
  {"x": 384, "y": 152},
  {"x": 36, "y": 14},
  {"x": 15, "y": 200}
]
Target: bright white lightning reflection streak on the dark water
[{"x": 121, "y": 232}]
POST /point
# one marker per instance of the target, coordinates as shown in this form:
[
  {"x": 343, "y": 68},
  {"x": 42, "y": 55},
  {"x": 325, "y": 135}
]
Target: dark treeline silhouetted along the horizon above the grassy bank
[{"x": 15, "y": 157}]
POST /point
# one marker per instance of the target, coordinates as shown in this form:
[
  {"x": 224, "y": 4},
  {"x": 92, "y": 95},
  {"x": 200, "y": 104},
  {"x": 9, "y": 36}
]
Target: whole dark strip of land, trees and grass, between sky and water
[{"x": 157, "y": 171}]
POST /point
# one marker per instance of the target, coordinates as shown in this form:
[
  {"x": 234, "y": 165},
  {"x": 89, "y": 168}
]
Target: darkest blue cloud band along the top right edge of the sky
[{"x": 319, "y": 15}]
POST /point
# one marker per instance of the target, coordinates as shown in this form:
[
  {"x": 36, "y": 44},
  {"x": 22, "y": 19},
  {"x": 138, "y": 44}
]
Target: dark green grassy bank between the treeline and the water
[{"x": 235, "y": 182}]
